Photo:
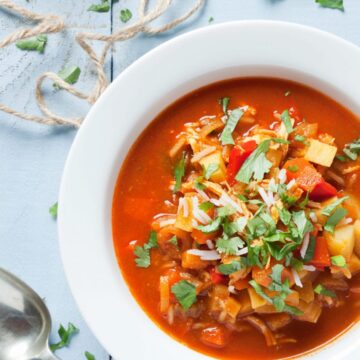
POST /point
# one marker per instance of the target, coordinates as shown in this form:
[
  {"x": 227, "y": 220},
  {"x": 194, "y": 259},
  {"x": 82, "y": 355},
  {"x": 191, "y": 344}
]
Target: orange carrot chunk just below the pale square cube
[{"x": 305, "y": 174}]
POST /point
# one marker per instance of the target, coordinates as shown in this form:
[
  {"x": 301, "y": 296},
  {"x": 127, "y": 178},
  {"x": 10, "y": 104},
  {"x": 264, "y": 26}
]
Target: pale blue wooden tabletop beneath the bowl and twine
[{"x": 32, "y": 156}]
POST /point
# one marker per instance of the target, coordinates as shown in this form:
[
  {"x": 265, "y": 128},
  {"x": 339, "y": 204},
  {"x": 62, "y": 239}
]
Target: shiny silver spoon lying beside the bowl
[{"x": 25, "y": 322}]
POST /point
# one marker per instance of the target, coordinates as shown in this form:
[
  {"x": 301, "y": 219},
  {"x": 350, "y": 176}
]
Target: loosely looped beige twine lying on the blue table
[{"x": 53, "y": 23}]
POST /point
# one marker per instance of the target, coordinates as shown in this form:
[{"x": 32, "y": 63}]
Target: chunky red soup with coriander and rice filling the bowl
[{"x": 236, "y": 219}]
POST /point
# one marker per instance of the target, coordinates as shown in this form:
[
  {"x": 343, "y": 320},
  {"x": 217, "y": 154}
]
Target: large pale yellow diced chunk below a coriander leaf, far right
[{"x": 342, "y": 241}]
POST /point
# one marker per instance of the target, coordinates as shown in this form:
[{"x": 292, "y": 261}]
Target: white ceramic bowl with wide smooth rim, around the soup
[{"x": 247, "y": 48}]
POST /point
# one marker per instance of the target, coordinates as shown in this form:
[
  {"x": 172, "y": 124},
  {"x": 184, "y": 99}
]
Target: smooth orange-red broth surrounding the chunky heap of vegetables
[{"x": 142, "y": 188}]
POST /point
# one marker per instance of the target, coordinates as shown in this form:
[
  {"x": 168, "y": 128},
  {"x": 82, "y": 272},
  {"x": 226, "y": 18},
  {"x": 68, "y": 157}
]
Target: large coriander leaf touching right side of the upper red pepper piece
[{"x": 255, "y": 163}]
